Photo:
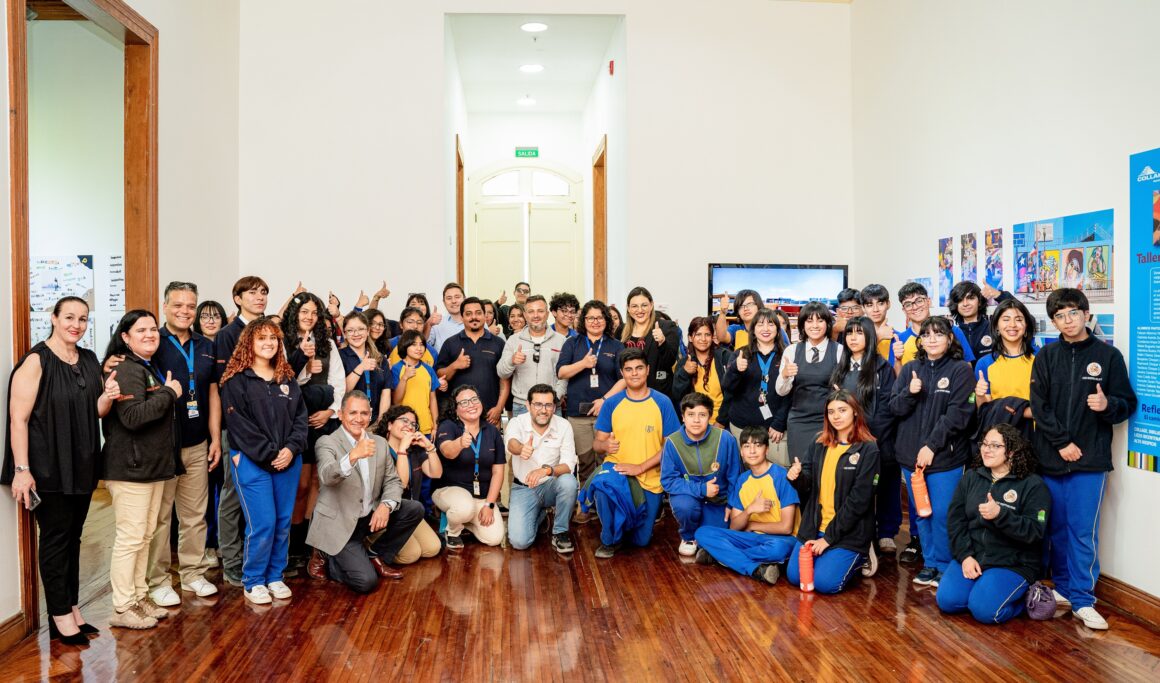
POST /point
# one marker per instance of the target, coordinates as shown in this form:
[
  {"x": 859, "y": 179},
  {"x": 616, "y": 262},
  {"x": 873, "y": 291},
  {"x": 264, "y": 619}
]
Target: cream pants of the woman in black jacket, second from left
[{"x": 135, "y": 508}]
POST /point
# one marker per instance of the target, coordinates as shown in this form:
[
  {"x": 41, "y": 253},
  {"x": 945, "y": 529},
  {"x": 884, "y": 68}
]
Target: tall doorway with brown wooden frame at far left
[{"x": 129, "y": 270}]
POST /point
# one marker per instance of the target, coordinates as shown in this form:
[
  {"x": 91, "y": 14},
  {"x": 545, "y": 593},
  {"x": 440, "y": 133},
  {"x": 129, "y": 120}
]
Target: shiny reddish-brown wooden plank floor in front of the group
[{"x": 647, "y": 615}]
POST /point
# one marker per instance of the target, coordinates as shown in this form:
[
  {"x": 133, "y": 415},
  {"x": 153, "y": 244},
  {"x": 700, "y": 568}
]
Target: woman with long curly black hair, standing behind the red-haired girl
[{"x": 310, "y": 348}]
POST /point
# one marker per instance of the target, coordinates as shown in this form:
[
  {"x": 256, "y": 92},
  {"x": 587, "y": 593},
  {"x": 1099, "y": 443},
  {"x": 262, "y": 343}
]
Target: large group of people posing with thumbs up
[{"x": 347, "y": 445}]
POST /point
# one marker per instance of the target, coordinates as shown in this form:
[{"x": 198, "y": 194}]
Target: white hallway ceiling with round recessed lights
[{"x": 491, "y": 48}]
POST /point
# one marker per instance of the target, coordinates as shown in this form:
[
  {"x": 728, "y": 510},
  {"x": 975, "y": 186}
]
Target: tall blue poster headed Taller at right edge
[{"x": 1144, "y": 430}]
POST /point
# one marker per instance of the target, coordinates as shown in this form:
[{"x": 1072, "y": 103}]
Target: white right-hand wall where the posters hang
[{"x": 969, "y": 117}]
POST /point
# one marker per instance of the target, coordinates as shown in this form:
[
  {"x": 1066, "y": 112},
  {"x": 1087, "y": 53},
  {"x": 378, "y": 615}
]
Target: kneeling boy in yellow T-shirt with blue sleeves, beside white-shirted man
[{"x": 630, "y": 432}]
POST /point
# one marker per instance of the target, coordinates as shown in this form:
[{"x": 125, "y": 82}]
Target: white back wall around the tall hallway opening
[{"x": 737, "y": 125}]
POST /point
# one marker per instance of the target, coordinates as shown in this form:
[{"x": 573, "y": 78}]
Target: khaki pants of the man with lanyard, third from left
[{"x": 190, "y": 493}]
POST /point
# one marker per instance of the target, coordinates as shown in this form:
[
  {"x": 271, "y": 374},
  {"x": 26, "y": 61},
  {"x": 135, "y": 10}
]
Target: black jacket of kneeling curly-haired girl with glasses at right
[{"x": 1012, "y": 541}]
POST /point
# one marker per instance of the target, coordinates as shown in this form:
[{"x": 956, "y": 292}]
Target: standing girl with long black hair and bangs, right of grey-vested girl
[{"x": 871, "y": 380}]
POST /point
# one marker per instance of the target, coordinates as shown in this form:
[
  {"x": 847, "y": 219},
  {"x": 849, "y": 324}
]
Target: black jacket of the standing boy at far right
[{"x": 1063, "y": 376}]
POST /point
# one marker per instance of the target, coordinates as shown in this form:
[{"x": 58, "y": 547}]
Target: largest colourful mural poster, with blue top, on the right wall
[{"x": 1045, "y": 252}]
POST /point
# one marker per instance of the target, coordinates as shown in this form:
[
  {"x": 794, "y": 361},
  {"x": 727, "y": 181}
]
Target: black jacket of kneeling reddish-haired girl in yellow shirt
[{"x": 853, "y": 527}]
